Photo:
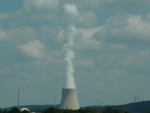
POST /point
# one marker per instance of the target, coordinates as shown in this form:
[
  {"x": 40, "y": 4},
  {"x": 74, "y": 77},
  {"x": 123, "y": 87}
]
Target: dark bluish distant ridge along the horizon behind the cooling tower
[{"x": 140, "y": 107}]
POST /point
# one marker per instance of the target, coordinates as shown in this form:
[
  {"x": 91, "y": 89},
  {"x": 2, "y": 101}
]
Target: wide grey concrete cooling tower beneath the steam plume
[{"x": 69, "y": 99}]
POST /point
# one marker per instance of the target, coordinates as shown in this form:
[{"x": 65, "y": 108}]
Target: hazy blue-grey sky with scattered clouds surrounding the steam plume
[{"x": 112, "y": 51}]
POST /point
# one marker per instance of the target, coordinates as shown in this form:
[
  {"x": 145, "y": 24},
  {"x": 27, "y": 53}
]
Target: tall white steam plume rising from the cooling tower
[{"x": 71, "y": 32}]
